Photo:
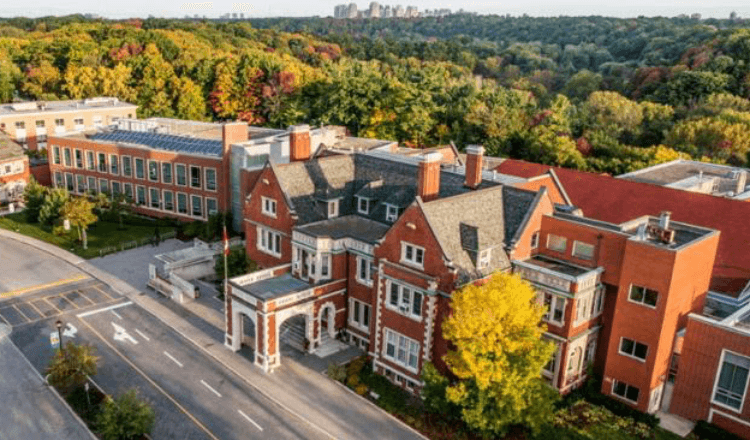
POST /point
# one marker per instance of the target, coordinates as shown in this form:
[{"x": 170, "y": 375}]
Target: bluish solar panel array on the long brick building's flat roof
[{"x": 160, "y": 141}]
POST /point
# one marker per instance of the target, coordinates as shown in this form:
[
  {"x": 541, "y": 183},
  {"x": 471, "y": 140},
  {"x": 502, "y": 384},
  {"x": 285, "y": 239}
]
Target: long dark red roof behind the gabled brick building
[{"x": 603, "y": 197}]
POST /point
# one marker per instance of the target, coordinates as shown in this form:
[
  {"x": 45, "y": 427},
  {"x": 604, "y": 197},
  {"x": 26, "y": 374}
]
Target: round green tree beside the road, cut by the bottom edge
[{"x": 125, "y": 418}]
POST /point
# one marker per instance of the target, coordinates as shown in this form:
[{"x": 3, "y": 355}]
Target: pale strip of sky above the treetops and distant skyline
[{"x": 300, "y": 8}]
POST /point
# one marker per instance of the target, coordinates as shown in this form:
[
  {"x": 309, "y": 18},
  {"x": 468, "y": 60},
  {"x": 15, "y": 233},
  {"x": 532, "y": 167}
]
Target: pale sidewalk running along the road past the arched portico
[{"x": 309, "y": 395}]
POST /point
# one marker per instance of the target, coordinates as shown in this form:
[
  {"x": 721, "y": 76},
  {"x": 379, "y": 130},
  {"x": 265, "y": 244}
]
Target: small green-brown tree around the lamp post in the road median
[{"x": 71, "y": 366}]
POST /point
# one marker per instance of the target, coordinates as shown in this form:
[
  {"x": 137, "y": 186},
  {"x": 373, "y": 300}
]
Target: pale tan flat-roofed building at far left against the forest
[{"x": 31, "y": 123}]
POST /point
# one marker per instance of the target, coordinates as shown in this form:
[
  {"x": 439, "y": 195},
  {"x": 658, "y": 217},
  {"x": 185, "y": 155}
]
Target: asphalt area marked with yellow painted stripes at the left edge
[{"x": 35, "y": 305}]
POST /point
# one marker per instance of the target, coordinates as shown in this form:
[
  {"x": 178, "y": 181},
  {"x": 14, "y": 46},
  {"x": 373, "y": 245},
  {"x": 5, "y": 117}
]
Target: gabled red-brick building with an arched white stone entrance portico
[{"x": 373, "y": 244}]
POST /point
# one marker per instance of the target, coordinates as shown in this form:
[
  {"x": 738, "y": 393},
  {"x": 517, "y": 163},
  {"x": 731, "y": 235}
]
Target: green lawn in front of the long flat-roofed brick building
[{"x": 101, "y": 235}]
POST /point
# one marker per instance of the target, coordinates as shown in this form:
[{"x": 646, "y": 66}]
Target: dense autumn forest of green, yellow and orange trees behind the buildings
[{"x": 593, "y": 93}]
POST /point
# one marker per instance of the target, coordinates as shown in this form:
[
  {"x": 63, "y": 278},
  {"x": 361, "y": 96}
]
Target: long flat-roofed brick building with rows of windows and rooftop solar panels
[{"x": 182, "y": 169}]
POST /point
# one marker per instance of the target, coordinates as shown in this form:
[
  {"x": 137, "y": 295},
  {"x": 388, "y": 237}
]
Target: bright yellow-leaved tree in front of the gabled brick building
[{"x": 496, "y": 330}]
